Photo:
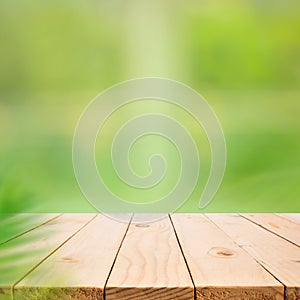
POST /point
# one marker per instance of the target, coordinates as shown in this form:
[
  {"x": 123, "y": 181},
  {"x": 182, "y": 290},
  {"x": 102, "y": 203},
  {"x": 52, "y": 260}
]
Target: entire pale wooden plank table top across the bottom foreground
[{"x": 181, "y": 256}]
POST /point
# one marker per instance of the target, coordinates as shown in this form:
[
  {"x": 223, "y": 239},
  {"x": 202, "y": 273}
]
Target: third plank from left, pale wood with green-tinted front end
[{"x": 79, "y": 269}]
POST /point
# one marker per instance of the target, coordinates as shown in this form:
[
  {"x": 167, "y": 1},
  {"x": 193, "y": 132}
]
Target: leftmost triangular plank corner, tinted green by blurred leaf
[{"x": 14, "y": 225}]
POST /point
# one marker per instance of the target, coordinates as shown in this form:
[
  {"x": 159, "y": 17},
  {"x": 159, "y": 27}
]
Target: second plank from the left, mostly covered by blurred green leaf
[{"x": 21, "y": 255}]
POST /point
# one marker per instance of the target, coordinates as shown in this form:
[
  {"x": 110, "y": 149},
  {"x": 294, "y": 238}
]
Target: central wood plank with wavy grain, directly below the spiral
[{"x": 150, "y": 265}]
